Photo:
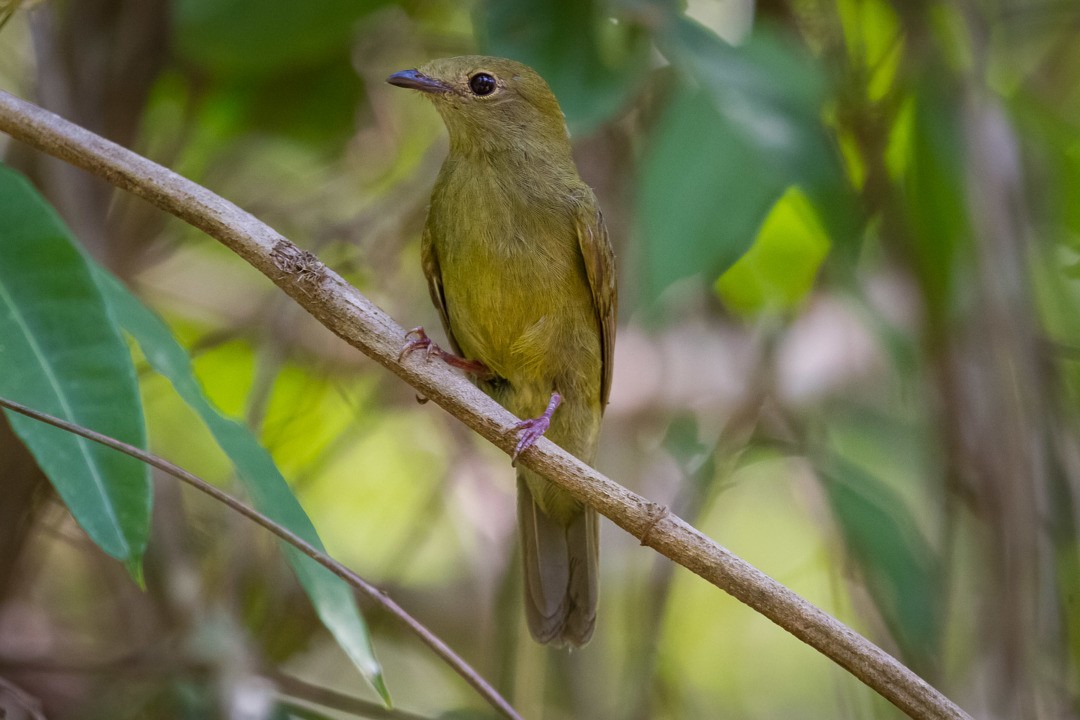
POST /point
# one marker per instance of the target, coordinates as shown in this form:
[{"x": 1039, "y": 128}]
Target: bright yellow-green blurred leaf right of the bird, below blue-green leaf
[{"x": 780, "y": 268}]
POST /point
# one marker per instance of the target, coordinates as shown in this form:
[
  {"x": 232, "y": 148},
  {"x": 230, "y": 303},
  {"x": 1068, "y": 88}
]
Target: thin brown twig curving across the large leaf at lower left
[{"x": 345, "y": 574}]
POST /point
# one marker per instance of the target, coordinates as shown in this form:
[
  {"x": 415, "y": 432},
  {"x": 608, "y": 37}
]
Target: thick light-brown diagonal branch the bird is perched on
[{"x": 354, "y": 318}]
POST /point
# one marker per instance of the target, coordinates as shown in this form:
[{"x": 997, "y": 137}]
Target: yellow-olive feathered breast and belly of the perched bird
[{"x": 515, "y": 283}]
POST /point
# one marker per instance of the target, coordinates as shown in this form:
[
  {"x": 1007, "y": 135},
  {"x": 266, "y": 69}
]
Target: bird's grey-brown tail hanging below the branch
[{"x": 562, "y": 570}]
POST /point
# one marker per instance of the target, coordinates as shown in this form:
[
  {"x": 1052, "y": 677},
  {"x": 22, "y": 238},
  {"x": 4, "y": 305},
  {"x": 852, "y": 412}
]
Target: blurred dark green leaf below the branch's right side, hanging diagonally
[{"x": 900, "y": 569}]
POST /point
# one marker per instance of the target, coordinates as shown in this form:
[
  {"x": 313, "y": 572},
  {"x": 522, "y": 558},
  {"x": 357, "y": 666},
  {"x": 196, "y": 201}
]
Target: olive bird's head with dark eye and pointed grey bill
[{"x": 491, "y": 104}]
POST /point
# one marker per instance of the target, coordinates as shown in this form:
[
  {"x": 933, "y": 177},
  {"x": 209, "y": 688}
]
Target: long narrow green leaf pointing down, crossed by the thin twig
[{"x": 331, "y": 596}]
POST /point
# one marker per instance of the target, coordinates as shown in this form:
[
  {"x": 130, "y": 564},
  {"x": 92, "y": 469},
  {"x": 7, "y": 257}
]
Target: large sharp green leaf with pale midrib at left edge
[{"x": 62, "y": 354}]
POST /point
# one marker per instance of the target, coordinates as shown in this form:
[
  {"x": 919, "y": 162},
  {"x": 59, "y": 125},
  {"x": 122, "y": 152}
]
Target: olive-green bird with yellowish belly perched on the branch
[{"x": 521, "y": 269}]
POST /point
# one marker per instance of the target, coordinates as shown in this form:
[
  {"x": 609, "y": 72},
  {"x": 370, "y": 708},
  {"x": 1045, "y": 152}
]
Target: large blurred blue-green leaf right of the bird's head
[{"x": 746, "y": 128}]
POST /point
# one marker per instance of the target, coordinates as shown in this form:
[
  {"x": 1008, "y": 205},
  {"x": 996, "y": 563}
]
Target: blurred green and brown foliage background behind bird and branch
[{"x": 848, "y": 236}]
